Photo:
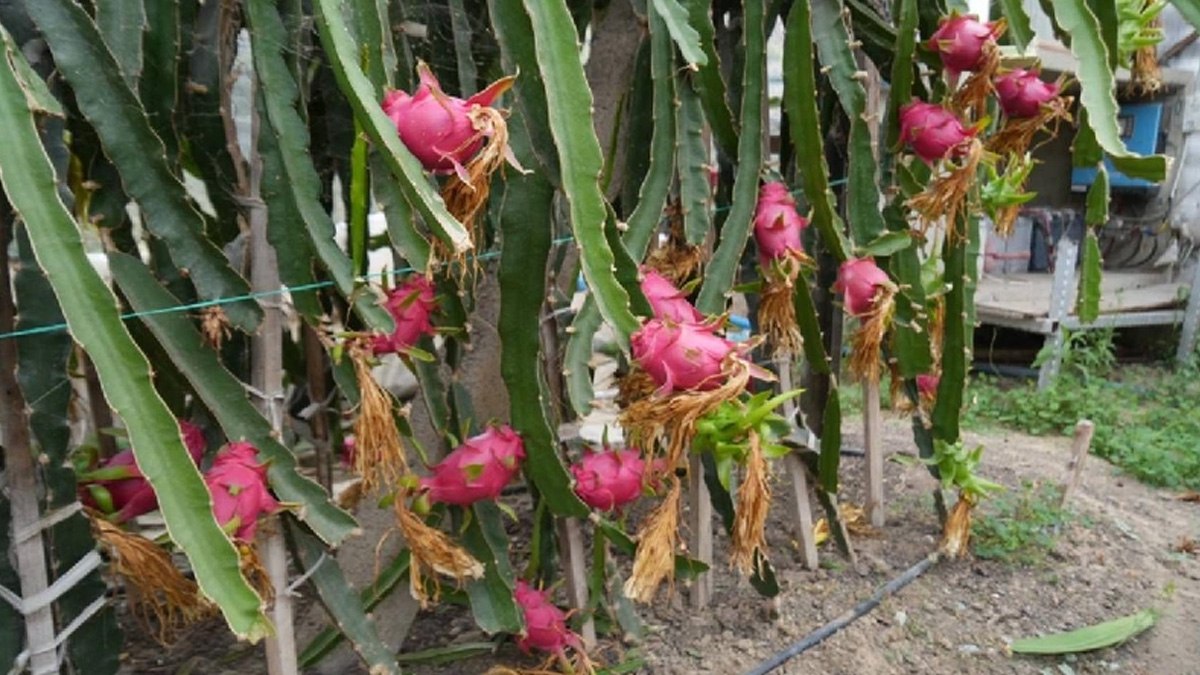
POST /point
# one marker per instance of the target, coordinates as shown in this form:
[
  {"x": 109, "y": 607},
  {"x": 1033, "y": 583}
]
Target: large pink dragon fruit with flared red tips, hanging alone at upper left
[{"x": 437, "y": 128}]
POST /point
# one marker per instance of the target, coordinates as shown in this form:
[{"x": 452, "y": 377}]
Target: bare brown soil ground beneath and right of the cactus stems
[{"x": 1118, "y": 557}]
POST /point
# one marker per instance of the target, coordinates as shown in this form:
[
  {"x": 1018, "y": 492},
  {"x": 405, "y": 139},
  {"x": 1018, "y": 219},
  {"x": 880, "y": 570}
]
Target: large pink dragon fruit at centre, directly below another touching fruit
[{"x": 681, "y": 356}]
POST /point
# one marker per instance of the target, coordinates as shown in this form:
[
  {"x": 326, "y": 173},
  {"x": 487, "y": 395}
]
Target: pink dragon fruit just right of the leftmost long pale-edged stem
[{"x": 238, "y": 485}]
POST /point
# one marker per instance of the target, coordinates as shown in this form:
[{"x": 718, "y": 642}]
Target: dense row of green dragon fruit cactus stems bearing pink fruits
[{"x": 494, "y": 193}]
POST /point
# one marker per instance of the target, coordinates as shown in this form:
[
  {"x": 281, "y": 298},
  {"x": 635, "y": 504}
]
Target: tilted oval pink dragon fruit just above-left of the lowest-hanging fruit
[{"x": 477, "y": 470}]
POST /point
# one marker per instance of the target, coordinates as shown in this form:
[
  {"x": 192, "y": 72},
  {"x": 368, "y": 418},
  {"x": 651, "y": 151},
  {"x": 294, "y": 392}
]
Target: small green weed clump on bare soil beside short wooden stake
[{"x": 1021, "y": 528}]
